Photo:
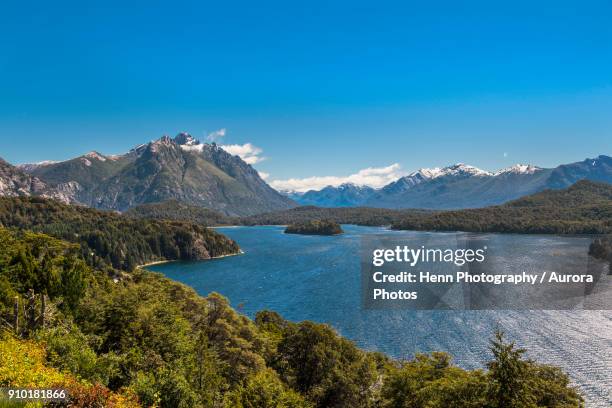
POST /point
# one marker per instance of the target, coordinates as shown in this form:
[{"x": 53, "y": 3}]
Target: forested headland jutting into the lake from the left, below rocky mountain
[{"x": 108, "y": 239}]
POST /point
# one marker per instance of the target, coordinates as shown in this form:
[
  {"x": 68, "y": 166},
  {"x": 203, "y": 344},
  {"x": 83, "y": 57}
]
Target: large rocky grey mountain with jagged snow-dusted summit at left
[{"x": 179, "y": 168}]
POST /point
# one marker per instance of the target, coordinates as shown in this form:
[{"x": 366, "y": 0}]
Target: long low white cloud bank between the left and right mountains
[{"x": 372, "y": 176}]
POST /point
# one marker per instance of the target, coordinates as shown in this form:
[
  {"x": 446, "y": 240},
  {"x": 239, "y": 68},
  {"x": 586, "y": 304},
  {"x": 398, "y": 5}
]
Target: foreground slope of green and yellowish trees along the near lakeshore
[{"x": 148, "y": 341}]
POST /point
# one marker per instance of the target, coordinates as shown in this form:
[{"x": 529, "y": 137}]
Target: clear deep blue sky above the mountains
[{"x": 324, "y": 88}]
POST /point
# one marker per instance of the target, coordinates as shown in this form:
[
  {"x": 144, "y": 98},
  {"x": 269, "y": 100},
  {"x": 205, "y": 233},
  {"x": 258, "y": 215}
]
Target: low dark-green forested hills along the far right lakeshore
[{"x": 583, "y": 208}]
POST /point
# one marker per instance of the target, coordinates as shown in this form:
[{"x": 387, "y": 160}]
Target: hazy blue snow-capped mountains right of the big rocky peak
[{"x": 462, "y": 186}]
